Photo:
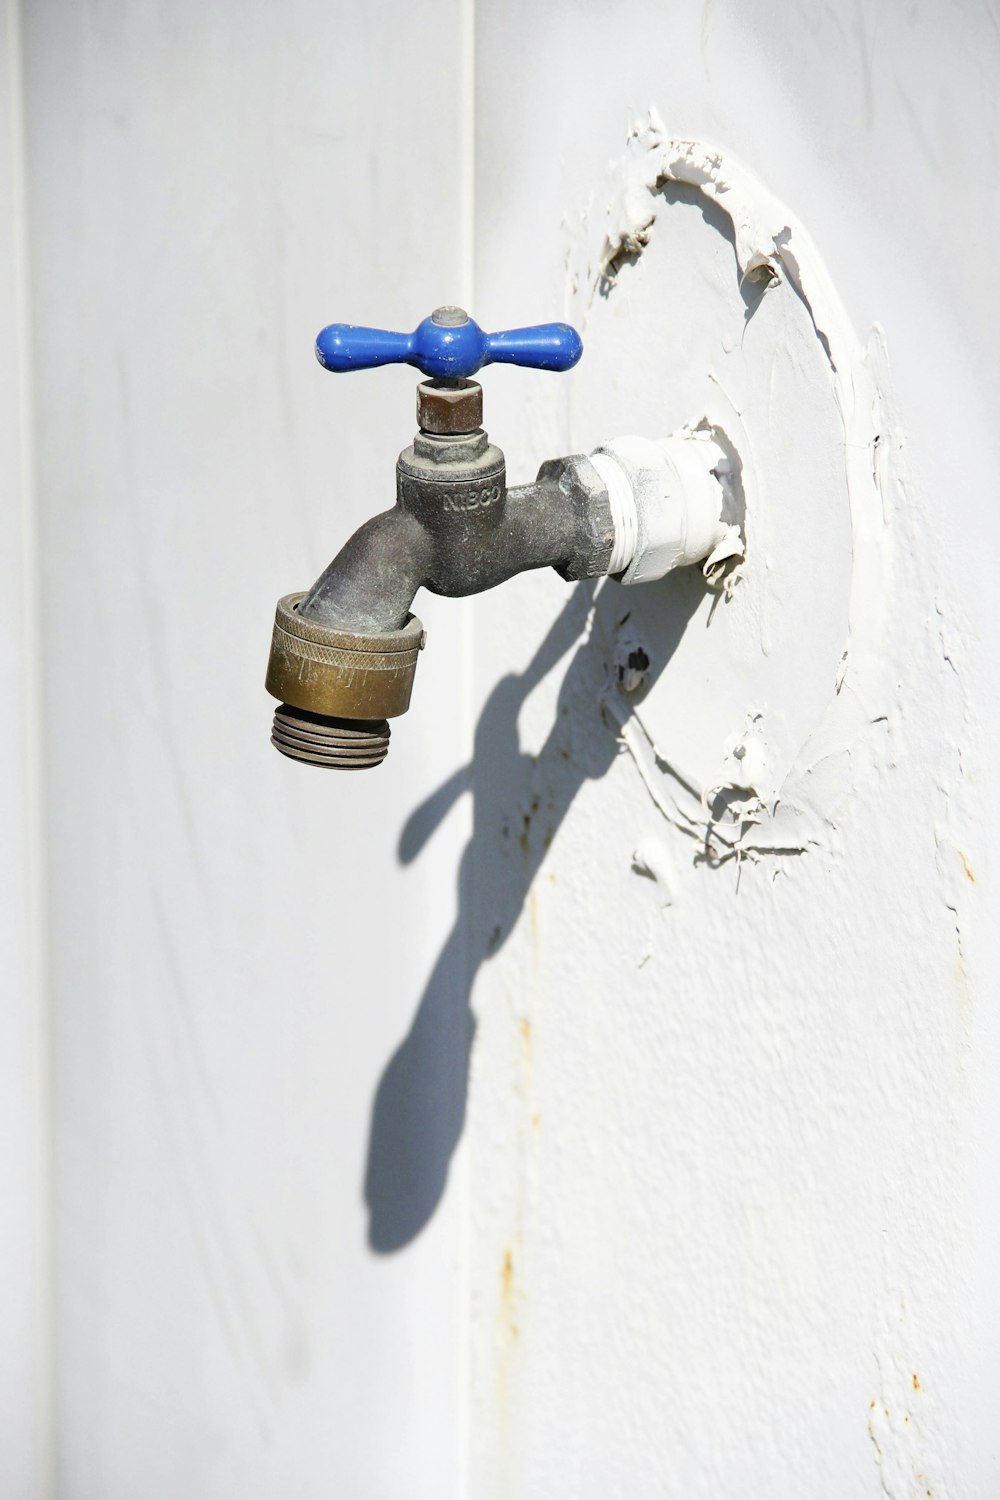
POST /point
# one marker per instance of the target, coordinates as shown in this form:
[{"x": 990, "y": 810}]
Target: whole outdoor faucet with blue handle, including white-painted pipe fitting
[{"x": 344, "y": 655}]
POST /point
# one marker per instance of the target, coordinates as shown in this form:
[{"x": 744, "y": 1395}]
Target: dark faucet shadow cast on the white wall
[{"x": 519, "y": 803}]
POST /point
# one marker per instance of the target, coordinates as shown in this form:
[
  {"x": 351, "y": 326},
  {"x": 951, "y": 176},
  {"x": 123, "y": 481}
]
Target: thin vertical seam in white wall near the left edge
[{"x": 34, "y": 742}]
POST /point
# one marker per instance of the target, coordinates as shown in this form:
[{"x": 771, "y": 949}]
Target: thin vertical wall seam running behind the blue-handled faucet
[{"x": 467, "y": 272}]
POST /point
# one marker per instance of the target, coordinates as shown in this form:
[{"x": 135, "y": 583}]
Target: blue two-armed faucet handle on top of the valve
[{"x": 449, "y": 346}]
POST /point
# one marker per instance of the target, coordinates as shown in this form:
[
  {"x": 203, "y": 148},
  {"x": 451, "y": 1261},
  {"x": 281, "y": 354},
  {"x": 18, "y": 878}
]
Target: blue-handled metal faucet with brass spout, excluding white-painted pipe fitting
[{"x": 344, "y": 655}]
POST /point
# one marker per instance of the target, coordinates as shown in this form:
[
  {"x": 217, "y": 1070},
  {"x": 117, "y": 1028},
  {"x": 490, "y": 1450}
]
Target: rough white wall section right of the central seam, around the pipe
[{"x": 734, "y": 1130}]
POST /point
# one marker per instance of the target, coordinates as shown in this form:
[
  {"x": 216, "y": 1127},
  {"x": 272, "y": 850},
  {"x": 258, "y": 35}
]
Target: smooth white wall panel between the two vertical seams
[{"x": 235, "y": 947}]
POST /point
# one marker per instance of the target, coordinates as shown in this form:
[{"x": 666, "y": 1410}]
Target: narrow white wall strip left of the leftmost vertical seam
[{"x": 25, "y": 1105}]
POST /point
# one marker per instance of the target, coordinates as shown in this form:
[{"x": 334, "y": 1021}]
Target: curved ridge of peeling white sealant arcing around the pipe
[{"x": 773, "y": 247}]
